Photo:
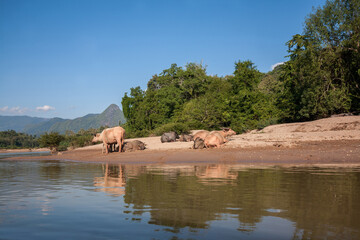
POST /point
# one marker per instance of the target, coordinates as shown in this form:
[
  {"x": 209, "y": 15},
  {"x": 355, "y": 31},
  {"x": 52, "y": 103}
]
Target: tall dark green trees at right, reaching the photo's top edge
[{"x": 322, "y": 76}]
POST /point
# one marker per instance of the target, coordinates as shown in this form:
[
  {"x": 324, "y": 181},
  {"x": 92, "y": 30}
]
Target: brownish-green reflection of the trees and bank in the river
[{"x": 317, "y": 202}]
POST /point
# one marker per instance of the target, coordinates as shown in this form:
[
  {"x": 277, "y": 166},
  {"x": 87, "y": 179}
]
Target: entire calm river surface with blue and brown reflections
[{"x": 68, "y": 200}]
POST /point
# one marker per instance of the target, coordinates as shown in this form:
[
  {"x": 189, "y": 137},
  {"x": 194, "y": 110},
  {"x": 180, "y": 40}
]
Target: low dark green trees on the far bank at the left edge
[{"x": 12, "y": 139}]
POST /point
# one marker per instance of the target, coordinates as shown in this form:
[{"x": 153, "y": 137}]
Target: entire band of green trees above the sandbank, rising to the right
[{"x": 320, "y": 78}]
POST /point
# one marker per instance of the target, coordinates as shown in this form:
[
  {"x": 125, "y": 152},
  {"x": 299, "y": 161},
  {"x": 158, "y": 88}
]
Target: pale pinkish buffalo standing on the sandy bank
[{"x": 110, "y": 136}]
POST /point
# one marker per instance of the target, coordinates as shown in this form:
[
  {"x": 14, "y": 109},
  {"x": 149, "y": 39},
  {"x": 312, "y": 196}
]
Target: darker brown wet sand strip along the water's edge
[{"x": 338, "y": 153}]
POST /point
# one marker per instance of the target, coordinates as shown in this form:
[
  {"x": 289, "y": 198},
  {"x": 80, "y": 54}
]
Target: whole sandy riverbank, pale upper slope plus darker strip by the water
[{"x": 330, "y": 141}]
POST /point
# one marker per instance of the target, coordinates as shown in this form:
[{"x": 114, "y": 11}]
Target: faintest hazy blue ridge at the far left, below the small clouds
[{"x": 18, "y": 123}]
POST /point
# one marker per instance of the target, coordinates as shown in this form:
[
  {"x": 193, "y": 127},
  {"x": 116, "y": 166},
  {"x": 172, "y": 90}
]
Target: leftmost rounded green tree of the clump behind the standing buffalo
[{"x": 165, "y": 96}]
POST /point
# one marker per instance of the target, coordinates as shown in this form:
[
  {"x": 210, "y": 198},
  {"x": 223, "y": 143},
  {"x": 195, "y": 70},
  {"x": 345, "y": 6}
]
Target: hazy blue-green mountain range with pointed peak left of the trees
[{"x": 112, "y": 116}]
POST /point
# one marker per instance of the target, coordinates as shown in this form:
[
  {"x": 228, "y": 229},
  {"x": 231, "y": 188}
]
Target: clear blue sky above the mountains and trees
[{"x": 68, "y": 58}]
